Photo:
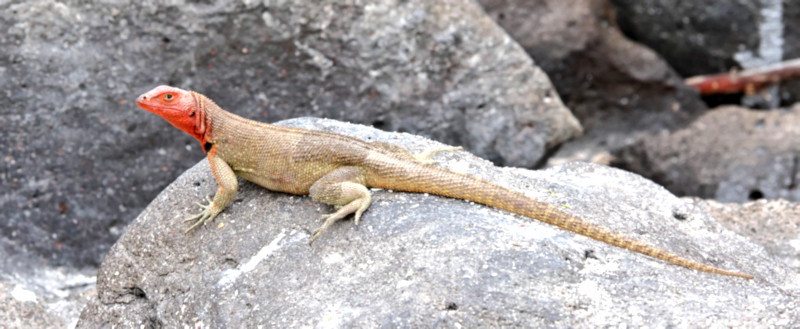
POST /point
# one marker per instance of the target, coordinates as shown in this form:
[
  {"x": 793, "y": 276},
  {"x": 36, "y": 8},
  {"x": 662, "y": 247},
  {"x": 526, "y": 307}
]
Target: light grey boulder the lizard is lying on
[{"x": 425, "y": 261}]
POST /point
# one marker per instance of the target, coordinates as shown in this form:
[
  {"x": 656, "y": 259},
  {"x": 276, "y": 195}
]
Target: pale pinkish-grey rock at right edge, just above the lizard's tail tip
[{"x": 770, "y": 223}]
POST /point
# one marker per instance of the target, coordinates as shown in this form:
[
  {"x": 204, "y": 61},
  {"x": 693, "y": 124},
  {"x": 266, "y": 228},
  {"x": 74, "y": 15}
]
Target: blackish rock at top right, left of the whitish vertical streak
[{"x": 695, "y": 37}]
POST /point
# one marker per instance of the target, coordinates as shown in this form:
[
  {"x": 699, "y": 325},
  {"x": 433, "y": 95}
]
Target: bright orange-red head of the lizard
[{"x": 179, "y": 107}]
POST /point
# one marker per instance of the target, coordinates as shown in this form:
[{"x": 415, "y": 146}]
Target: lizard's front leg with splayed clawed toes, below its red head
[{"x": 228, "y": 185}]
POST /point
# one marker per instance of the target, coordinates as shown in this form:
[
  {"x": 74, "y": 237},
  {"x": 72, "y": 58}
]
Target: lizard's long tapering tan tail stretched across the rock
[{"x": 433, "y": 180}]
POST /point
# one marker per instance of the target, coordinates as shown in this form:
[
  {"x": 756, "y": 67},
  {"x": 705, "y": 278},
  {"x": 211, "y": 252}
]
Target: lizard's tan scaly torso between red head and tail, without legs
[{"x": 261, "y": 152}]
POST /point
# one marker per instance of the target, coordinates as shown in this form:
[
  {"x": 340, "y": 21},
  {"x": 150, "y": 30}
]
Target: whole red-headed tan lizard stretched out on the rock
[{"x": 337, "y": 170}]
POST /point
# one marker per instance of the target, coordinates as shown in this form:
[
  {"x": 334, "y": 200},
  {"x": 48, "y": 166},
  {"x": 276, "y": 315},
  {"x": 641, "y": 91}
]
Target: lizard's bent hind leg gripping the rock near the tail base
[{"x": 343, "y": 188}]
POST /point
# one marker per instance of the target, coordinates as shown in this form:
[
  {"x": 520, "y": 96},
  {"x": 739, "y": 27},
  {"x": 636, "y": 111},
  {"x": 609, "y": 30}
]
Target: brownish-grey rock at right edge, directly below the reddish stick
[{"x": 730, "y": 154}]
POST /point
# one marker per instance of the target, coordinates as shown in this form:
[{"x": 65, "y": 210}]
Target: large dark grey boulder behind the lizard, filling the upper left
[{"x": 80, "y": 160}]
